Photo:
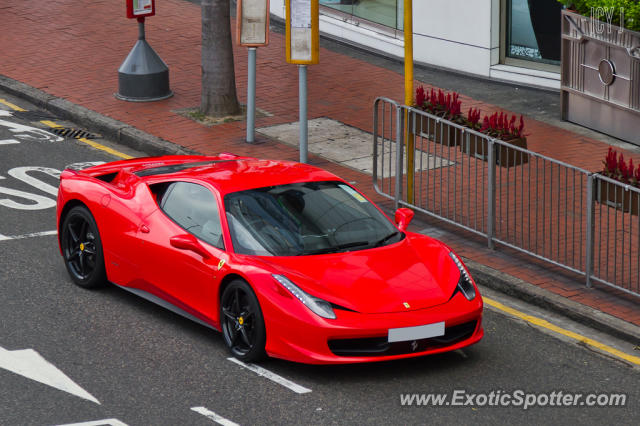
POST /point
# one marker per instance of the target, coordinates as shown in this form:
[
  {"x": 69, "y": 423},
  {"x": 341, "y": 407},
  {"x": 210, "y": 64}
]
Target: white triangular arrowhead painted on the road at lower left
[{"x": 32, "y": 365}]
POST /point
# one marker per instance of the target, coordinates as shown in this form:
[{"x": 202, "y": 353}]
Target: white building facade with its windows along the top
[{"x": 510, "y": 40}]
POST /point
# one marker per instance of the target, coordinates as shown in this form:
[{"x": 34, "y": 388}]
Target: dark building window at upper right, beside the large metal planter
[{"x": 533, "y": 31}]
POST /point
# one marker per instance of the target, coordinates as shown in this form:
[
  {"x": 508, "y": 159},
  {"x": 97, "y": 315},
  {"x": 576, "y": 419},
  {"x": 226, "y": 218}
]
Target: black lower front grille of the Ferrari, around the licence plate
[{"x": 379, "y": 346}]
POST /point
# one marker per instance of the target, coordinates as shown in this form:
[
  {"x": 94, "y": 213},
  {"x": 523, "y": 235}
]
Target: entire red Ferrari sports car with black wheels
[{"x": 283, "y": 258}]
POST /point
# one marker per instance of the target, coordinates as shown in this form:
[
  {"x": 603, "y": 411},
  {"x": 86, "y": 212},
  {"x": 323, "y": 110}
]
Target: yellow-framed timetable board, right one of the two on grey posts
[{"x": 302, "y": 32}]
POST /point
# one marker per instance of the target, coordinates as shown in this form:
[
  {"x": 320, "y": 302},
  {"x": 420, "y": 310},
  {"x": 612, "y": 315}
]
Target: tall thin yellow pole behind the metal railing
[{"x": 408, "y": 94}]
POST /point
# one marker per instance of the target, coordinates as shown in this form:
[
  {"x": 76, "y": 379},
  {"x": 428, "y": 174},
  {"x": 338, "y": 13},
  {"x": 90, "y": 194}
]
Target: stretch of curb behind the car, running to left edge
[{"x": 110, "y": 128}]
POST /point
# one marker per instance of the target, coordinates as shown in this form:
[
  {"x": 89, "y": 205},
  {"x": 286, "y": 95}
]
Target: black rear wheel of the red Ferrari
[{"x": 82, "y": 248}]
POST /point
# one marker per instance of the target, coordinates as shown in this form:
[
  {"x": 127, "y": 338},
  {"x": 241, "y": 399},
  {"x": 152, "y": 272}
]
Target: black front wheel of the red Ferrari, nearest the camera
[{"x": 242, "y": 322}]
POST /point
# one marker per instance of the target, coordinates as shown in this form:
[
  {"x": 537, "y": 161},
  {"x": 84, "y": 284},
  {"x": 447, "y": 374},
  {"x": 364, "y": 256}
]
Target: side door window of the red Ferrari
[{"x": 194, "y": 208}]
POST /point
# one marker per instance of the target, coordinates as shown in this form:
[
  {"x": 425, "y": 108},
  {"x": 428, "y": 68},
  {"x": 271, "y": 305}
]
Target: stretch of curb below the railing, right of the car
[{"x": 520, "y": 289}]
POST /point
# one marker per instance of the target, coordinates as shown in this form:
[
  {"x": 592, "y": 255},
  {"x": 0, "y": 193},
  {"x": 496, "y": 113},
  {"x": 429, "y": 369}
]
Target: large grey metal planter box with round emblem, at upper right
[{"x": 600, "y": 81}]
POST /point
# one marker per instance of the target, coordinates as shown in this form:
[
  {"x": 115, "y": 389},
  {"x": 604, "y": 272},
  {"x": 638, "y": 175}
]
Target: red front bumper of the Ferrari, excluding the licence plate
[{"x": 296, "y": 334}]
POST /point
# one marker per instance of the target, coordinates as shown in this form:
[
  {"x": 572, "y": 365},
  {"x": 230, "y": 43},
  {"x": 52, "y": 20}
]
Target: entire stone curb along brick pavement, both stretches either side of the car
[{"x": 484, "y": 275}]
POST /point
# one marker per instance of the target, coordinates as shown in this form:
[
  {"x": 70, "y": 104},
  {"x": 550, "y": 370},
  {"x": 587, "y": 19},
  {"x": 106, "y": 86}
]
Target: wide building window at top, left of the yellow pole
[{"x": 388, "y": 13}]
